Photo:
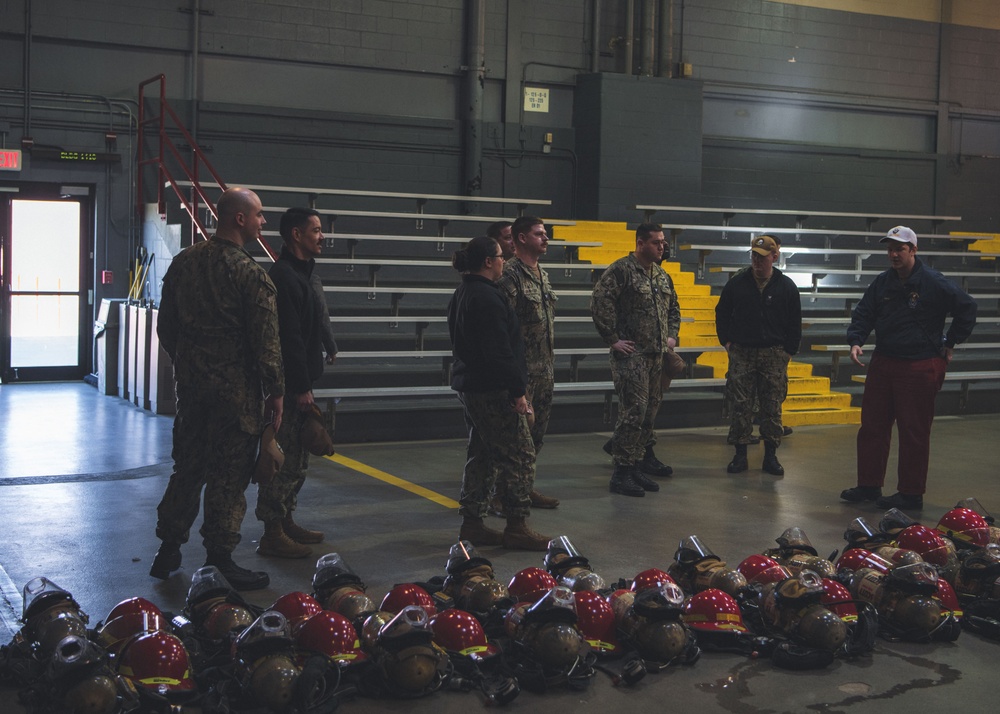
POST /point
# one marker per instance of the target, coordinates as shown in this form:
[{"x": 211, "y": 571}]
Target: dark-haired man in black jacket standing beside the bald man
[{"x": 302, "y": 354}]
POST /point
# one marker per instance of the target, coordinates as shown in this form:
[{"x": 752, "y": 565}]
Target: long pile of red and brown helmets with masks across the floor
[{"x": 557, "y": 625}]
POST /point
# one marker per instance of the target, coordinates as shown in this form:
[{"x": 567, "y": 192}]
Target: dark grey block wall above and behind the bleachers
[{"x": 369, "y": 94}]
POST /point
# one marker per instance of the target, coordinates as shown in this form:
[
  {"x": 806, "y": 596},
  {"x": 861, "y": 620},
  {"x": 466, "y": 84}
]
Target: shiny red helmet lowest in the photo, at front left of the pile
[{"x": 157, "y": 661}]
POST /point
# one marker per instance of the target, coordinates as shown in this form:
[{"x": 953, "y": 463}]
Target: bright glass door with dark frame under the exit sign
[{"x": 43, "y": 292}]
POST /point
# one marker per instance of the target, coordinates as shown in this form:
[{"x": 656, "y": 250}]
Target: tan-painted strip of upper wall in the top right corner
[{"x": 973, "y": 13}]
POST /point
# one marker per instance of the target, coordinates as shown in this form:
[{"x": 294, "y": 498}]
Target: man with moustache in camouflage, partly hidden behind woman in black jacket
[{"x": 528, "y": 290}]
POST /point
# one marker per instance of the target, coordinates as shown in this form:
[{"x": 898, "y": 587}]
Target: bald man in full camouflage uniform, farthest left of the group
[{"x": 218, "y": 322}]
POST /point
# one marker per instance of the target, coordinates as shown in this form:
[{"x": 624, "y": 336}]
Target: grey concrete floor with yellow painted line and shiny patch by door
[{"x": 81, "y": 475}]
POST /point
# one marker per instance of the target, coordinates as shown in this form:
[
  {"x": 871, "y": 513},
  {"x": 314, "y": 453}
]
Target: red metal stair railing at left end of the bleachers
[{"x": 161, "y": 122}]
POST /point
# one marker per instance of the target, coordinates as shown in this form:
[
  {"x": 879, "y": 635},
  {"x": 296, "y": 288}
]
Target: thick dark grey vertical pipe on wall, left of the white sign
[{"x": 475, "y": 78}]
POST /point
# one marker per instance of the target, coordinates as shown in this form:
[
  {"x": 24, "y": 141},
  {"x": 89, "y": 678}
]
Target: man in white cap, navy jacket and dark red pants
[{"x": 906, "y": 306}]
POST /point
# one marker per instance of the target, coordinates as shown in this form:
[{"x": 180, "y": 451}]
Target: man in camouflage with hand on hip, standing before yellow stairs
[{"x": 635, "y": 311}]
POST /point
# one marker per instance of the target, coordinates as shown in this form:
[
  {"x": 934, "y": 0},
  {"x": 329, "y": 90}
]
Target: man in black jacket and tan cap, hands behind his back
[{"x": 759, "y": 320}]
